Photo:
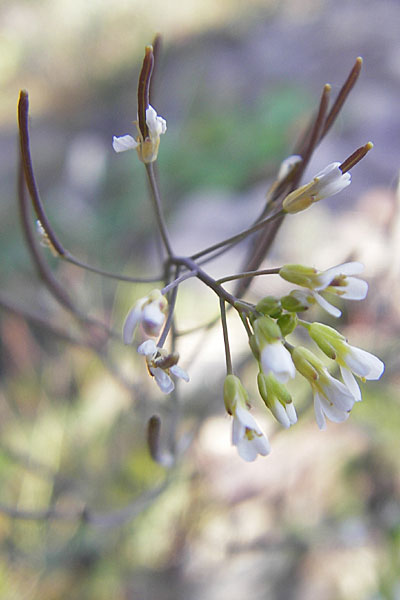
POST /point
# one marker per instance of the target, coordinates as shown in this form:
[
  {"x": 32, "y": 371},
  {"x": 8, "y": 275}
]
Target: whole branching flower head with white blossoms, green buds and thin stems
[{"x": 272, "y": 320}]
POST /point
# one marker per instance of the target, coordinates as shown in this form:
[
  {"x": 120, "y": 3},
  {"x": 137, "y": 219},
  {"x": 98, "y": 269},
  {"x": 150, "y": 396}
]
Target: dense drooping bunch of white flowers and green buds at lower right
[{"x": 271, "y": 321}]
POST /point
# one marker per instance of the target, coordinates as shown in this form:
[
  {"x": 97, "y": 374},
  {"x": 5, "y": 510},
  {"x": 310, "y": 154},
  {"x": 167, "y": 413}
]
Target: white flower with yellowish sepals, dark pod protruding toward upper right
[{"x": 326, "y": 183}]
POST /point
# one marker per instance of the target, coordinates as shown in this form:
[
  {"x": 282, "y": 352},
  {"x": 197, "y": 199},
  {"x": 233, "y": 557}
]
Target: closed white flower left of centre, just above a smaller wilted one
[{"x": 149, "y": 312}]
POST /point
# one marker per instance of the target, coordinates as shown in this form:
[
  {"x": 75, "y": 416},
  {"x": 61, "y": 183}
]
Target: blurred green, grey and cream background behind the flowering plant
[{"x": 237, "y": 82}]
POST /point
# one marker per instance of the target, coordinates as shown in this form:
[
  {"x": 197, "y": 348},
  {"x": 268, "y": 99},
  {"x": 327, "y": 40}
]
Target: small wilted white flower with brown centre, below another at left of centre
[{"x": 162, "y": 365}]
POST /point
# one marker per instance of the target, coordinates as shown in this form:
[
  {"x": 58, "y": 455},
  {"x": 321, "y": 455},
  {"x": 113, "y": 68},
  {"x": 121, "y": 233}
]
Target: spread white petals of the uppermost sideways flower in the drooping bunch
[{"x": 339, "y": 281}]
